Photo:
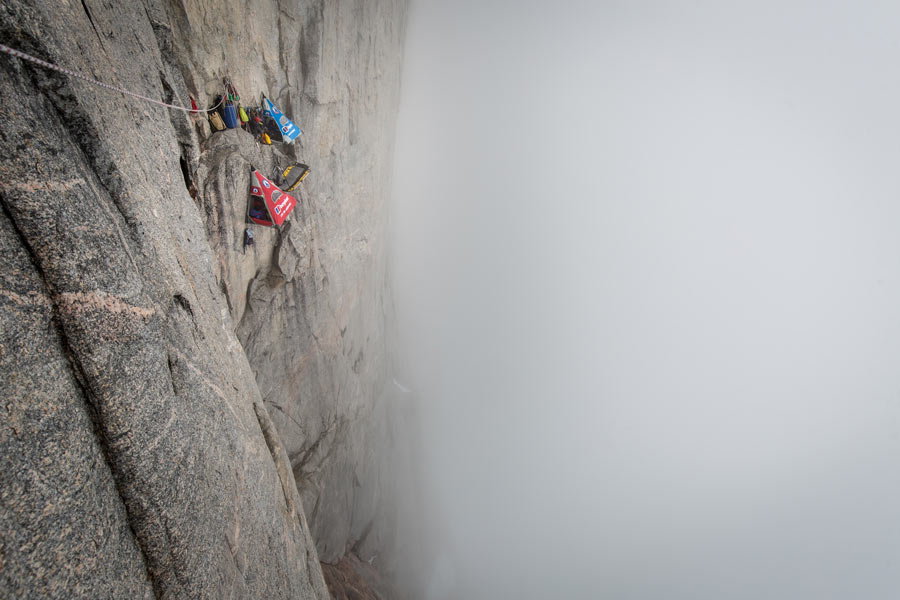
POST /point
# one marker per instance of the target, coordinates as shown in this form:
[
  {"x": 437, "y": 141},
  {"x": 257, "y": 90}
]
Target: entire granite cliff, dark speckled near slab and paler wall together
[{"x": 181, "y": 419}]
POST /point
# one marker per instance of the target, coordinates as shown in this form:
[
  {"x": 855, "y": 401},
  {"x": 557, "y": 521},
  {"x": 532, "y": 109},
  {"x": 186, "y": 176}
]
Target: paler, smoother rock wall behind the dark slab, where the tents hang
[{"x": 310, "y": 301}]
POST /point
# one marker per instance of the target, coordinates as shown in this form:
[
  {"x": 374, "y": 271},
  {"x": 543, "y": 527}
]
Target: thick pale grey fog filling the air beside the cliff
[{"x": 645, "y": 259}]
